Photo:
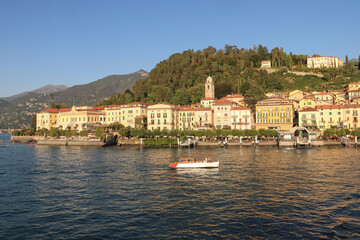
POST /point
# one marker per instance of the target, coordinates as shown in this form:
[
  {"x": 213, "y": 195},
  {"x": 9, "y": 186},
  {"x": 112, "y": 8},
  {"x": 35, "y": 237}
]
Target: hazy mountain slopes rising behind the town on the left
[{"x": 18, "y": 111}]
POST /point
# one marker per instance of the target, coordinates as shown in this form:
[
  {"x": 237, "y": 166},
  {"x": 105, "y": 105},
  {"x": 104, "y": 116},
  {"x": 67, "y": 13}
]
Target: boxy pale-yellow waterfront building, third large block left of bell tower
[{"x": 162, "y": 116}]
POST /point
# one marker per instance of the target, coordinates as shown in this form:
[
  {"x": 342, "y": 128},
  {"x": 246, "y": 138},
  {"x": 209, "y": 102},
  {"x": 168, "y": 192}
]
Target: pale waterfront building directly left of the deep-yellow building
[{"x": 240, "y": 118}]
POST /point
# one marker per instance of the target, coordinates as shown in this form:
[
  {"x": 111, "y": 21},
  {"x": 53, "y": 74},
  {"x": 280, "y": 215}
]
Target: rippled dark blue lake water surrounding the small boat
[{"x": 129, "y": 193}]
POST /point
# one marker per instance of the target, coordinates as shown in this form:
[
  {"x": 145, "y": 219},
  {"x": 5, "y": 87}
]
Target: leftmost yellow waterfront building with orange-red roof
[{"x": 48, "y": 118}]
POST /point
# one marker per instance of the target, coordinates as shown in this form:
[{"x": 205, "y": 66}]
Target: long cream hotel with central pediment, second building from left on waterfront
[{"x": 80, "y": 118}]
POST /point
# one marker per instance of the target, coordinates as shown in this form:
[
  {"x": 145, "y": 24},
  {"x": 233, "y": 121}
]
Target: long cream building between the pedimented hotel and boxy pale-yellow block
[{"x": 125, "y": 114}]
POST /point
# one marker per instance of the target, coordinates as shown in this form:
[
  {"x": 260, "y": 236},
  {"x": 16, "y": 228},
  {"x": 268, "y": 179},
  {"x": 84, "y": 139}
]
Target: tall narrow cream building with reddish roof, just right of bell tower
[{"x": 222, "y": 117}]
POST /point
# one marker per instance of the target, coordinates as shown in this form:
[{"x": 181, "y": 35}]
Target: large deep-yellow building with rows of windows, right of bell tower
[{"x": 274, "y": 113}]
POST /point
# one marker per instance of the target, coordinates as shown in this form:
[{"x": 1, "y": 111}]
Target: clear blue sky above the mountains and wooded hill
[{"x": 74, "y": 42}]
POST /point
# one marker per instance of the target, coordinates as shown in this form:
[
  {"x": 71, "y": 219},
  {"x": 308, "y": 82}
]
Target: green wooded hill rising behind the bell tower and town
[{"x": 179, "y": 80}]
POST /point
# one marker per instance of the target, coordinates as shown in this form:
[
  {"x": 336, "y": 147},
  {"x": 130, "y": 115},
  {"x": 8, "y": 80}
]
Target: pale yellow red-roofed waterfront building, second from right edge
[{"x": 330, "y": 116}]
